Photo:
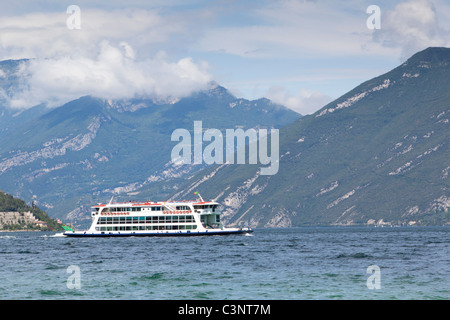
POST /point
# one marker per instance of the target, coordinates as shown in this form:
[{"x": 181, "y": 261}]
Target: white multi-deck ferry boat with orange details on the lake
[{"x": 170, "y": 218}]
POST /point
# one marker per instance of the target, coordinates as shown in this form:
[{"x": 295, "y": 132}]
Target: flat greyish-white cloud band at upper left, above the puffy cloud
[{"x": 46, "y": 34}]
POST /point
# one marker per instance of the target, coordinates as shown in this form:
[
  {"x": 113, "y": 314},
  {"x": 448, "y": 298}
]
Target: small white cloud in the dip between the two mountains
[{"x": 306, "y": 102}]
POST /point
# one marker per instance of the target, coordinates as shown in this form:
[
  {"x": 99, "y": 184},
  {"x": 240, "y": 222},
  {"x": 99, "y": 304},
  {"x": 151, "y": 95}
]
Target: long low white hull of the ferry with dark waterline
[{"x": 167, "y": 233}]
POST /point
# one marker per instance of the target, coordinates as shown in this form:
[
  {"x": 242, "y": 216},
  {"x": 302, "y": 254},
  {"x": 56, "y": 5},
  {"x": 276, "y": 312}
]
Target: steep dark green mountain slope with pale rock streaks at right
[{"x": 377, "y": 155}]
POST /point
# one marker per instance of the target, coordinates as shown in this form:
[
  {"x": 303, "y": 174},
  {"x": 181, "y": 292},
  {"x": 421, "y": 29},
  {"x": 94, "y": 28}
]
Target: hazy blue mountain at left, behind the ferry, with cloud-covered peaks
[{"x": 69, "y": 157}]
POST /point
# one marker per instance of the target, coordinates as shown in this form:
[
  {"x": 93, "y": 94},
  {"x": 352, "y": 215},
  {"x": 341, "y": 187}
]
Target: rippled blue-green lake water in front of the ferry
[{"x": 297, "y": 263}]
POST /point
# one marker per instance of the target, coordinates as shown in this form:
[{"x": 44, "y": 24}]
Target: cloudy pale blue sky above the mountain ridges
[{"x": 299, "y": 53}]
